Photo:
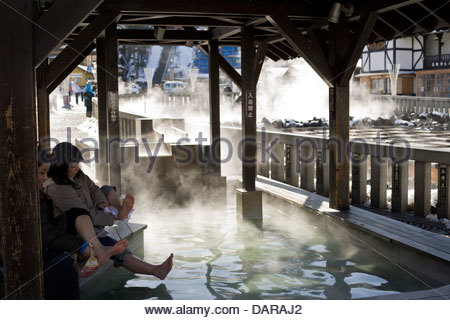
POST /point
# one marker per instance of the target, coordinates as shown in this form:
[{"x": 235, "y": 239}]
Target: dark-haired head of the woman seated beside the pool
[{"x": 65, "y": 165}]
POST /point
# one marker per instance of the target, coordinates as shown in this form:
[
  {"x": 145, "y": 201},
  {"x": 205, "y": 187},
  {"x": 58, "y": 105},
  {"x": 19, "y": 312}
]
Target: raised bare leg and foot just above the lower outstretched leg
[{"x": 85, "y": 229}]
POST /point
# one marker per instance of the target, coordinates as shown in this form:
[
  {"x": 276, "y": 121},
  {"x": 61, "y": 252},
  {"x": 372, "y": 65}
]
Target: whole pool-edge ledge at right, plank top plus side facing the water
[{"x": 420, "y": 251}]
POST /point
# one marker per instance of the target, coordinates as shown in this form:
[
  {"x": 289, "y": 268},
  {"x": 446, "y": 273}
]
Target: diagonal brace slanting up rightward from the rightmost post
[{"x": 357, "y": 43}]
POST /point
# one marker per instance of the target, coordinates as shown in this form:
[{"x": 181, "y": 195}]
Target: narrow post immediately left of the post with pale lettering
[{"x": 102, "y": 167}]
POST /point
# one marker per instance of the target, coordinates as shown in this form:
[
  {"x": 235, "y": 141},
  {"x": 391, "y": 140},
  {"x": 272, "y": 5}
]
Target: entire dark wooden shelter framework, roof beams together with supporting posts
[{"x": 330, "y": 35}]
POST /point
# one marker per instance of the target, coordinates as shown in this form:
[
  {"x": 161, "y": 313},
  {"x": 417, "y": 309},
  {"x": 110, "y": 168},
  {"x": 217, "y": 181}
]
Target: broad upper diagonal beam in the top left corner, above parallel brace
[{"x": 56, "y": 24}]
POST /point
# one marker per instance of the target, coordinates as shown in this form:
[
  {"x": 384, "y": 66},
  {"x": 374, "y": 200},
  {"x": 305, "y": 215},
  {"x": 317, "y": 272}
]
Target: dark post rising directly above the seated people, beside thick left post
[{"x": 43, "y": 106}]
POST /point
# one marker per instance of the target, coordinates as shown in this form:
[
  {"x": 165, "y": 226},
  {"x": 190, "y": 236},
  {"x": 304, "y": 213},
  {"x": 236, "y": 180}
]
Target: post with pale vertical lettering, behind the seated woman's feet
[{"x": 112, "y": 104}]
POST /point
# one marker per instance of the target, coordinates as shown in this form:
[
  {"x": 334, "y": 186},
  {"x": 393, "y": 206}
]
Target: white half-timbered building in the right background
[{"x": 424, "y": 65}]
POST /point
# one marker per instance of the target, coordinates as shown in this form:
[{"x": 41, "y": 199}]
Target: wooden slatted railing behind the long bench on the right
[{"x": 303, "y": 161}]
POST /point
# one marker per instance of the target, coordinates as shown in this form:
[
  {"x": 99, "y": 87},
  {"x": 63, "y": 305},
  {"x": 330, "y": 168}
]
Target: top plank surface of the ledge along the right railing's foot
[{"x": 424, "y": 241}]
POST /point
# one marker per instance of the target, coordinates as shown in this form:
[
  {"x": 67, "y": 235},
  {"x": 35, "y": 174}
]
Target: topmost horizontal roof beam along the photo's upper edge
[{"x": 196, "y": 7}]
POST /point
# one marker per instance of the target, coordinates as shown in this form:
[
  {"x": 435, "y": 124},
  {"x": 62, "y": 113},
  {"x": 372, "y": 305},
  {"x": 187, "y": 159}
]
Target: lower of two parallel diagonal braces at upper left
[{"x": 87, "y": 36}]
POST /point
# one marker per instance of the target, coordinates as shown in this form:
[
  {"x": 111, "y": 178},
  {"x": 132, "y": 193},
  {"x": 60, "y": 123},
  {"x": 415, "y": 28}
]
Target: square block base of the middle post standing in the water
[{"x": 249, "y": 204}]
